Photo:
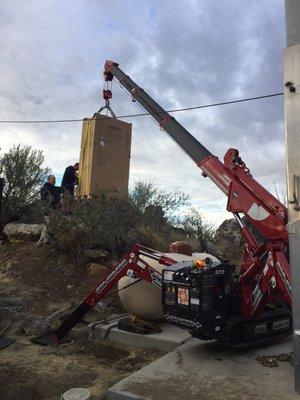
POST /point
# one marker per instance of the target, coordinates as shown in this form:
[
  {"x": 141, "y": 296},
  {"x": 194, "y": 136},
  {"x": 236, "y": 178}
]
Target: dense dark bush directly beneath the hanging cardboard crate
[{"x": 109, "y": 224}]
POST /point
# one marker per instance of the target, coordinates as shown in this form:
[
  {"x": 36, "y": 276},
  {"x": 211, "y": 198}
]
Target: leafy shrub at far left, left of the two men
[{"x": 24, "y": 173}]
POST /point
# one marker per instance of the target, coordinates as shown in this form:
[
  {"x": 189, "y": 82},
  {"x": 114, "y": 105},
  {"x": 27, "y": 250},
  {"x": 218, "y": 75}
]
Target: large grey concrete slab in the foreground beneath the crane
[{"x": 201, "y": 370}]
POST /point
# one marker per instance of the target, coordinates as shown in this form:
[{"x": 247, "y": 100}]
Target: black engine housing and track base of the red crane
[{"x": 203, "y": 299}]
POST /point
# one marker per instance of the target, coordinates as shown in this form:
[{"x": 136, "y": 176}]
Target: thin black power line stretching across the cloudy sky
[{"x": 223, "y": 103}]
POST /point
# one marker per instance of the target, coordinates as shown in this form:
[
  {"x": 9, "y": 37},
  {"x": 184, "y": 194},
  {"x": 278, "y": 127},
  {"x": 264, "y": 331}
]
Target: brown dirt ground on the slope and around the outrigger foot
[{"x": 46, "y": 283}]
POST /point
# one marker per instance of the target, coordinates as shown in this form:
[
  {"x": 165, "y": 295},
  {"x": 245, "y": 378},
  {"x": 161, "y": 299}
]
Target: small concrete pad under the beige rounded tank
[{"x": 166, "y": 341}]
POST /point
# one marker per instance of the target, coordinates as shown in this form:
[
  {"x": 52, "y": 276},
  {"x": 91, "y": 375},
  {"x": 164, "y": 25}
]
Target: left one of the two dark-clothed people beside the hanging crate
[{"x": 50, "y": 196}]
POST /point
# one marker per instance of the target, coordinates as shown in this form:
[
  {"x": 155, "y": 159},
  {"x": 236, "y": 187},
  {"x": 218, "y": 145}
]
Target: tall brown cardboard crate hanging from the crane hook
[{"x": 104, "y": 157}]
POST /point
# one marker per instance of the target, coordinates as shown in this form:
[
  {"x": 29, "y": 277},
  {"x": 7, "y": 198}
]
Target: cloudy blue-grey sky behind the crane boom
[{"x": 183, "y": 53}]
